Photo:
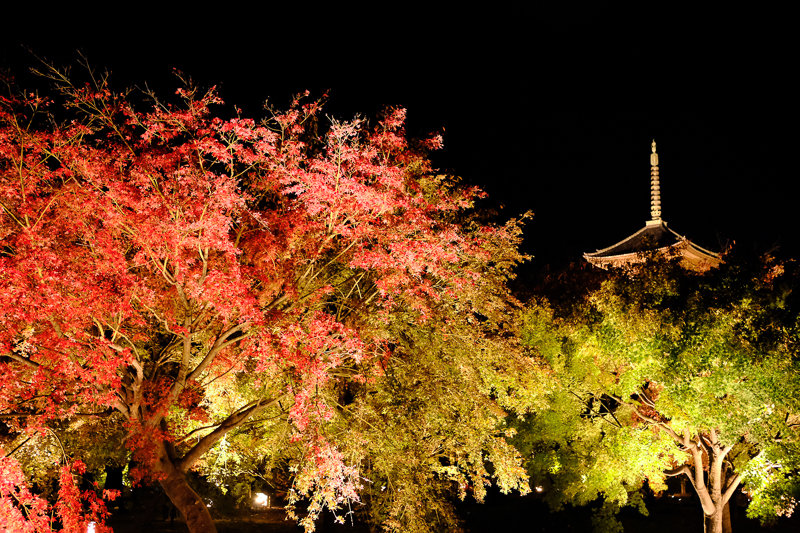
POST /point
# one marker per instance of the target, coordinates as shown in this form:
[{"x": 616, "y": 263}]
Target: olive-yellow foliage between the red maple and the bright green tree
[{"x": 433, "y": 423}]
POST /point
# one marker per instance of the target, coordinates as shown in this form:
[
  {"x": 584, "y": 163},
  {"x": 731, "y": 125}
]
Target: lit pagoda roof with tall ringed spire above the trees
[{"x": 655, "y": 238}]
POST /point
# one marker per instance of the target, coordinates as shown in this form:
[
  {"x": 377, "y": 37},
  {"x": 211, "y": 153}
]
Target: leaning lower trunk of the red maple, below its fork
[{"x": 186, "y": 500}]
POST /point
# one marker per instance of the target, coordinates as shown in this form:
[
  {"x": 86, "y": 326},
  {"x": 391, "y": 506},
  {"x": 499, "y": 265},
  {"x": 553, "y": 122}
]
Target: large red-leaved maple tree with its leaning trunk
[{"x": 147, "y": 257}]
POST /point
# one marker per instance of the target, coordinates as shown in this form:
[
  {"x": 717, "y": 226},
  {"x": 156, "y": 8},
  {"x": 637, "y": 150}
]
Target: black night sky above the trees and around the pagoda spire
[{"x": 548, "y": 110}]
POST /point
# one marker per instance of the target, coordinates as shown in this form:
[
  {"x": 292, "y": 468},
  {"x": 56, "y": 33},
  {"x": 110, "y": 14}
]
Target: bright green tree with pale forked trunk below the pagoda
[{"x": 667, "y": 373}]
